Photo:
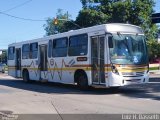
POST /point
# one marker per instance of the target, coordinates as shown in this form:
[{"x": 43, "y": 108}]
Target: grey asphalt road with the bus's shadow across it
[{"x": 47, "y": 98}]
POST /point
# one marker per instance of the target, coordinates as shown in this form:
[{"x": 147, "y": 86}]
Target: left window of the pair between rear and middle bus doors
[{"x": 25, "y": 51}]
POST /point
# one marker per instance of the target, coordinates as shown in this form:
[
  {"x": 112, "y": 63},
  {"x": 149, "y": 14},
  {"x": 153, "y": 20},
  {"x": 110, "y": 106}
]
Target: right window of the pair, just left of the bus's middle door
[{"x": 33, "y": 50}]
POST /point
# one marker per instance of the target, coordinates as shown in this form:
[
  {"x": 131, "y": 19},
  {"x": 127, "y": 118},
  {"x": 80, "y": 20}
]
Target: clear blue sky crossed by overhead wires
[{"x": 16, "y": 30}]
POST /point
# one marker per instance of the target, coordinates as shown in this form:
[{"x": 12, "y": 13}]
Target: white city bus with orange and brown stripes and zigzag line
[{"x": 108, "y": 55}]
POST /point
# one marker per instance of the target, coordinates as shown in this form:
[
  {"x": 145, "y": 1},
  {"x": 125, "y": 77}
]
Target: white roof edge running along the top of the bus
[{"x": 109, "y": 28}]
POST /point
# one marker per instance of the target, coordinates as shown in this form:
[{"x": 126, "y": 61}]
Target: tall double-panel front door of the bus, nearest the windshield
[{"x": 97, "y": 61}]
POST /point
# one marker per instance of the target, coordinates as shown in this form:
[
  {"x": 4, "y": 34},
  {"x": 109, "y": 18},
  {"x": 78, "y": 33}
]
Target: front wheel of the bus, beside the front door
[{"x": 82, "y": 81}]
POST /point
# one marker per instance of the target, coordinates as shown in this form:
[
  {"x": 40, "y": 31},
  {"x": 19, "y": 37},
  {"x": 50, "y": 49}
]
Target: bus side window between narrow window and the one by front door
[{"x": 60, "y": 47}]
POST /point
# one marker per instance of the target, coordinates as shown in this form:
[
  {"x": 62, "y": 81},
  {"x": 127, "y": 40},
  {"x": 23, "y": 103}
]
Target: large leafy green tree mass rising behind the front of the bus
[{"x": 137, "y": 12}]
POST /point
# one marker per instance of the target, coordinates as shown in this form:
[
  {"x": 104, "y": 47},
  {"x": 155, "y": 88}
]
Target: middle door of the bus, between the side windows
[{"x": 43, "y": 62}]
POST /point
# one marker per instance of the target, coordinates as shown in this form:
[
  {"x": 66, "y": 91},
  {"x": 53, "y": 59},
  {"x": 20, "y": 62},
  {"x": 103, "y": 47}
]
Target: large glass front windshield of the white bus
[{"x": 128, "y": 49}]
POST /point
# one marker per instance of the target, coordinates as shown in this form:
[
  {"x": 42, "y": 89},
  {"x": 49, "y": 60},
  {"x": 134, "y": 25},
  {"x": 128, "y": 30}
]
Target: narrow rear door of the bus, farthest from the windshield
[{"x": 18, "y": 63}]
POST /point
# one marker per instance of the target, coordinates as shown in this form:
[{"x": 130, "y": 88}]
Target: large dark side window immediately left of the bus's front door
[{"x": 78, "y": 45}]
